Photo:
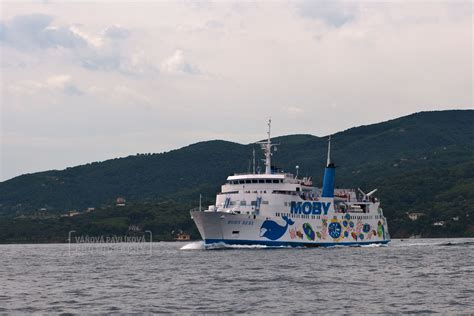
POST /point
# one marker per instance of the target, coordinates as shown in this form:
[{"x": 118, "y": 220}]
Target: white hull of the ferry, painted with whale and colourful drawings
[{"x": 294, "y": 231}]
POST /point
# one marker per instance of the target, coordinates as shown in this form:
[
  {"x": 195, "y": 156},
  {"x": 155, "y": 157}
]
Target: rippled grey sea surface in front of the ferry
[{"x": 412, "y": 276}]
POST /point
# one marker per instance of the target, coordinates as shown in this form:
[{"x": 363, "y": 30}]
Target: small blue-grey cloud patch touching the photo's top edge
[{"x": 335, "y": 13}]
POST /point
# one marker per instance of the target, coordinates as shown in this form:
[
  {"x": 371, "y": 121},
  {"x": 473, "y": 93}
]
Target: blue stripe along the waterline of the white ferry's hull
[{"x": 289, "y": 243}]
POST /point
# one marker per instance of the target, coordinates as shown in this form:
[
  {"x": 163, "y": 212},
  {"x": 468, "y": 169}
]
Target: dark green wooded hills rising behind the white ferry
[{"x": 423, "y": 162}]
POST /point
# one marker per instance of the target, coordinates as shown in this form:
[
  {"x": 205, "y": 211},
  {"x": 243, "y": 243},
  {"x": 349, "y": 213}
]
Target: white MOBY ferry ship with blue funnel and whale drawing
[{"x": 282, "y": 209}]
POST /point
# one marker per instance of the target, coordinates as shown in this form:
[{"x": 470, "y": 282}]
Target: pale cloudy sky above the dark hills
[{"x": 90, "y": 81}]
